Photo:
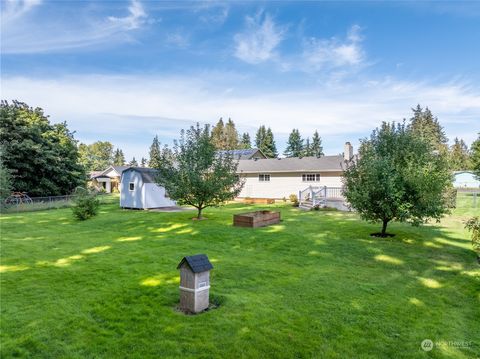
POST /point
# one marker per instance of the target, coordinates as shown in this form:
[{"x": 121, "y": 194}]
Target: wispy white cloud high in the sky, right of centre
[{"x": 333, "y": 53}]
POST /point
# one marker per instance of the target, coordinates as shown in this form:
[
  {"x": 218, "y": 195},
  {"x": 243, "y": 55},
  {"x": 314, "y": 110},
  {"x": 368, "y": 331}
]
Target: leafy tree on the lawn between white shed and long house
[{"x": 195, "y": 175}]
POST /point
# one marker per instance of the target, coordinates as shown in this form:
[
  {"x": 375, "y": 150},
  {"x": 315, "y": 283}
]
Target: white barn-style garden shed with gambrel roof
[{"x": 138, "y": 190}]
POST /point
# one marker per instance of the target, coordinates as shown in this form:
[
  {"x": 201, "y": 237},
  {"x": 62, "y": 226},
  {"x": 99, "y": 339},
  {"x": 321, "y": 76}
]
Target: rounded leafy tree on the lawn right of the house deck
[{"x": 397, "y": 177}]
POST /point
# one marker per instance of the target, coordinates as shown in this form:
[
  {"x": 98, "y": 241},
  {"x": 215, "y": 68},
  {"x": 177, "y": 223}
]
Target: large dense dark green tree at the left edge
[{"x": 43, "y": 157}]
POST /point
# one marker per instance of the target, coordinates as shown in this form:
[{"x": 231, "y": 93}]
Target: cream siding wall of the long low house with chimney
[{"x": 284, "y": 184}]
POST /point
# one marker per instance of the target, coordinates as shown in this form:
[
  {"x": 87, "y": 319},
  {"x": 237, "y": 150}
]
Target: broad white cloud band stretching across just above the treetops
[{"x": 132, "y": 109}]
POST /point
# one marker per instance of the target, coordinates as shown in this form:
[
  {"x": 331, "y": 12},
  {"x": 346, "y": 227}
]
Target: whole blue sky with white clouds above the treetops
[{"x": 124, "y": 71}]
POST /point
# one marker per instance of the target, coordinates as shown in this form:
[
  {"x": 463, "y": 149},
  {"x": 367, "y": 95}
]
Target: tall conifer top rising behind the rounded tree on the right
[{"x": 424, "y": 125}]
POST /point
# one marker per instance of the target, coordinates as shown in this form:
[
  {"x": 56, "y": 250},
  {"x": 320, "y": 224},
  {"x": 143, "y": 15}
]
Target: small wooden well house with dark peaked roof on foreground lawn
[{"x": 194, "y": 283}]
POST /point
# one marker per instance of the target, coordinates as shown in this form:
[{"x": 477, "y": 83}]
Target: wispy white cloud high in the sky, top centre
[{"x": 257, "y": 43}]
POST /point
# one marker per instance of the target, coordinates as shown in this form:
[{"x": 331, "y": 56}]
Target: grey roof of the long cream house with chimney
[{"x": 292, "y": 164}]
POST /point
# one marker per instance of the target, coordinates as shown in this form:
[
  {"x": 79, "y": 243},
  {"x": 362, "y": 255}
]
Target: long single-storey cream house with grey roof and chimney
[{"x": 280, "y": 177}]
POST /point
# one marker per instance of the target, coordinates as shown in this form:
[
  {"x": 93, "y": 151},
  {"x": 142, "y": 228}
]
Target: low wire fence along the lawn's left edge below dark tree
[{"x": 42, "y": 203}]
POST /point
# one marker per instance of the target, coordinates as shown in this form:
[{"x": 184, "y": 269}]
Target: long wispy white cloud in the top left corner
[{"x": 22, "y": 33}]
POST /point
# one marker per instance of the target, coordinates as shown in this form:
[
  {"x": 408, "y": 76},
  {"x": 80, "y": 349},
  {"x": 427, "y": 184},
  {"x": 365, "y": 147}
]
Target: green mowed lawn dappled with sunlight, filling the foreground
[{"x": 316, "y": 285}]
